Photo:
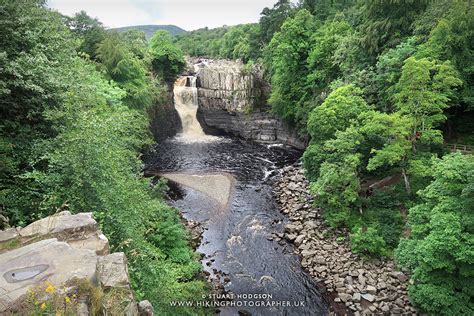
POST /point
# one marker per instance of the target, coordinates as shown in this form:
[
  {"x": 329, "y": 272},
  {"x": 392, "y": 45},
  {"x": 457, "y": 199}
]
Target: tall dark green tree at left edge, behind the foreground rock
[{"x": 35, "y": 74}]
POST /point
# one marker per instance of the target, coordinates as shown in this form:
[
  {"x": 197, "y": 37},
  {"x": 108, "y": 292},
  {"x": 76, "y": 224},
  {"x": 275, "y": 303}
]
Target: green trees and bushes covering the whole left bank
[{"x": 73, "y": 102}]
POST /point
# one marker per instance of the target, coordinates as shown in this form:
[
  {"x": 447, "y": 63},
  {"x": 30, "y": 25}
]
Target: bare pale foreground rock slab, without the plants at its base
[{"x": 60, "y": 249}]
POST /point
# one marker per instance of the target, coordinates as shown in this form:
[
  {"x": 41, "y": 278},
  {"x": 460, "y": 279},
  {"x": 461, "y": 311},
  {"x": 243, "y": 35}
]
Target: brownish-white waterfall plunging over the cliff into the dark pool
[{"x": 186, "y": 104}]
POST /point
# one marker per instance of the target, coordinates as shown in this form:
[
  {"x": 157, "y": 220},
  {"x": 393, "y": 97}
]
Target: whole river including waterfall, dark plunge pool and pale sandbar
[{"x": 225, "y": 184}]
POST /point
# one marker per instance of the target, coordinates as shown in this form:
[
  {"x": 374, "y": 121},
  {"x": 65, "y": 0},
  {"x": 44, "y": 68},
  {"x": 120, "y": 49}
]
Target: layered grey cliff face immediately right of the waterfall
[{"x": 233, "y": 98}]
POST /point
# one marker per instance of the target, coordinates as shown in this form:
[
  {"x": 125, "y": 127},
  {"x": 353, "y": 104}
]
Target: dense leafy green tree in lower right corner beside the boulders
[{"x": 438, "y": 252}]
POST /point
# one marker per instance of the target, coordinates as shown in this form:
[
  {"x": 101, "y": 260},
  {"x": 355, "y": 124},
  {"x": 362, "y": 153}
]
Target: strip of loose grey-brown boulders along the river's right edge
[{"x": 354, "y": 284}]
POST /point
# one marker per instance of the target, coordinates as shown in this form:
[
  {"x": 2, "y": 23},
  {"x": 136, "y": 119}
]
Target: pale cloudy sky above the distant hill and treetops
[{"x": 187, "y": 14}]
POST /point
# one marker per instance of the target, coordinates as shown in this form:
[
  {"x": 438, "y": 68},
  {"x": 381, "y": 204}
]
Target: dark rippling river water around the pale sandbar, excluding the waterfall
[{"x": 236, "y": 239}]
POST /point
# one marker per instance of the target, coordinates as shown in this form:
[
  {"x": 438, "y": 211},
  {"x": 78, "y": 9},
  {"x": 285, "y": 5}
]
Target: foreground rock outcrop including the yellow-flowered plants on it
[{"x": 64, "y": 252}]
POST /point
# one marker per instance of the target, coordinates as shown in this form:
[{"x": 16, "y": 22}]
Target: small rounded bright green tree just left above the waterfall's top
[{"x": 167, "y": 59}]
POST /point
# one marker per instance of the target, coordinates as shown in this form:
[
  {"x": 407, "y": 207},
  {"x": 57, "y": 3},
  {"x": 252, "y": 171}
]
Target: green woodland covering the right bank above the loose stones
[{"x": 379, "y": 88}]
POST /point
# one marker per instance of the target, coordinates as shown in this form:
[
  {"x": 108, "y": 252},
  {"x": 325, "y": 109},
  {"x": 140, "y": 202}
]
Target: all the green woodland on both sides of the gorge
[{"x": 378, "y": 87}]
